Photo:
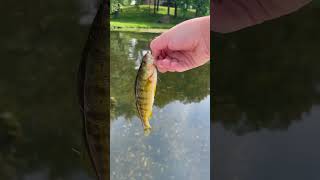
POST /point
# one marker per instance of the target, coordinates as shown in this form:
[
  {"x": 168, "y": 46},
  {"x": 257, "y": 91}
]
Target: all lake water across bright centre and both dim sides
[{"x": 265, "y": 121}]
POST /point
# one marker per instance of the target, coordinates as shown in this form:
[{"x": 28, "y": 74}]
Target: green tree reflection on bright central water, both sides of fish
[{"x": 191, "y": 86}]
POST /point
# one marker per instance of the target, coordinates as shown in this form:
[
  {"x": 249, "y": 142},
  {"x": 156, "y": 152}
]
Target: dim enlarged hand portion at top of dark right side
[{"x": 232, "y": 15}]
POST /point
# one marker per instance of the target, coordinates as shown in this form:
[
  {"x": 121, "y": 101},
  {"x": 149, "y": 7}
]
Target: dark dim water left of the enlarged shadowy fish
[{"x": 40, "y": 124}]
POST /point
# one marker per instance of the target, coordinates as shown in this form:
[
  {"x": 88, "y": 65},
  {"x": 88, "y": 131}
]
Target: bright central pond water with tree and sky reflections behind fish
[{"x": 178, "y": 147}]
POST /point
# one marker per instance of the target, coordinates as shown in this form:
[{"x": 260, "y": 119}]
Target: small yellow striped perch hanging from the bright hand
[{"x": 145, "y": 90}]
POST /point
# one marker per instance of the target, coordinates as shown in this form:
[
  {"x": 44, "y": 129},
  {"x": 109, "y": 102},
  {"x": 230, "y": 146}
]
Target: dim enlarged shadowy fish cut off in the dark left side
[{"x": 94, "y": 93}]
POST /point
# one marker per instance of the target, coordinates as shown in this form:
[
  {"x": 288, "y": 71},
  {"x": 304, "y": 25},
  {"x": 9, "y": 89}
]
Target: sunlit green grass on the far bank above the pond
[{"x": 143, "y": 18}]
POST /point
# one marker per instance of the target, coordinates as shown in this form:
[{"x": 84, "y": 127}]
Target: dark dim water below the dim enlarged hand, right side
[{"x": 267, "y": 97}]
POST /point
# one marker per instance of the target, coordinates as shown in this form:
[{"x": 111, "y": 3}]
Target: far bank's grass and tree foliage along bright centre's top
[{"x": 142, "y": 16}]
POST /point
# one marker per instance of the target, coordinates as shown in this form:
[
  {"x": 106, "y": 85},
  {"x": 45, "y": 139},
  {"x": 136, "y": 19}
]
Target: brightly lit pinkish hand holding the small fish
[{"x": 183, "y": 47}]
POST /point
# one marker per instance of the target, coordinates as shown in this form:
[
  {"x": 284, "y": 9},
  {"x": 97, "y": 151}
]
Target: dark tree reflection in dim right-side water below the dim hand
[{"x": 267, "y": 76}]
